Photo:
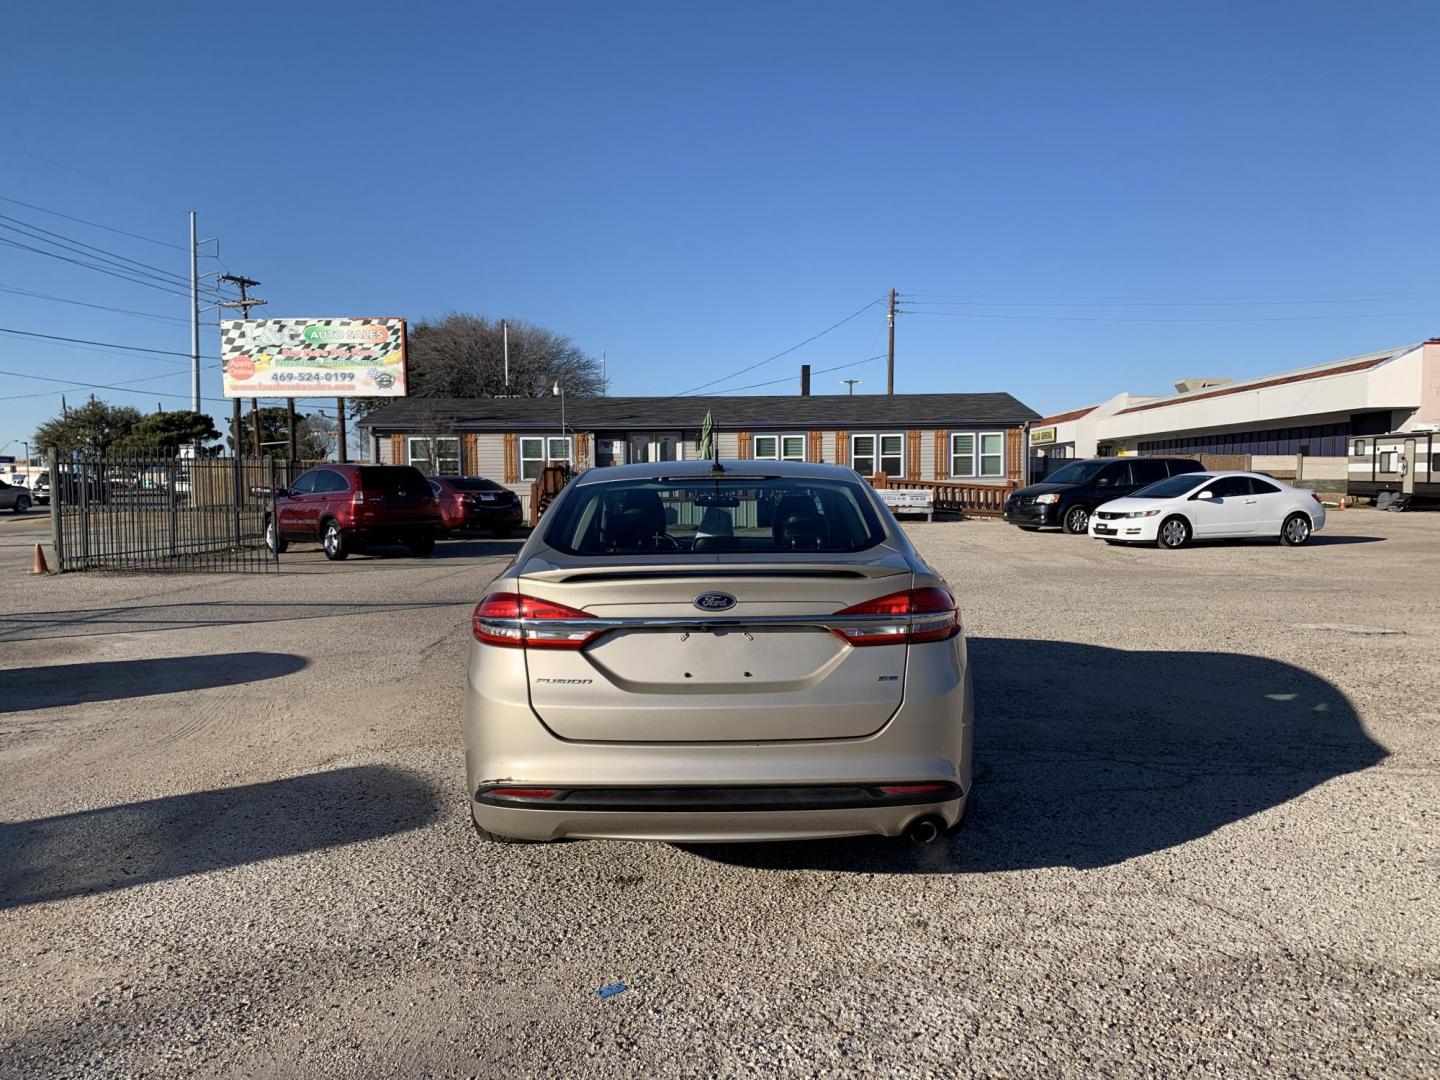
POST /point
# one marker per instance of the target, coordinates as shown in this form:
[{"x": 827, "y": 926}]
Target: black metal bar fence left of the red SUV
[{"x": 174, "y": 515}]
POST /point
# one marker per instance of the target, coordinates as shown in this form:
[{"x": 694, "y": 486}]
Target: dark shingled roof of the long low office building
[{"x": 869, "y": 411}]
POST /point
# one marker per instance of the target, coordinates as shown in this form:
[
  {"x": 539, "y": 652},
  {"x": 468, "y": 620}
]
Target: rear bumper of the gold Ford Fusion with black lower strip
[{"x": 928, "y": 741}]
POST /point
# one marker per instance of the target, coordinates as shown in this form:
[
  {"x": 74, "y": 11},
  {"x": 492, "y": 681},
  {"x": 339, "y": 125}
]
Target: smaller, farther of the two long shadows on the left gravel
[{"x": 112, "y": 680}]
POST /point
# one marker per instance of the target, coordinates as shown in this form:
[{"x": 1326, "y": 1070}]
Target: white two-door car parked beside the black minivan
[{"x": 1210, "y": 506}]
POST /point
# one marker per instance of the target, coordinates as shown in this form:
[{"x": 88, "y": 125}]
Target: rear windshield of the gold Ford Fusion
[{"x": 755, "y": 515}]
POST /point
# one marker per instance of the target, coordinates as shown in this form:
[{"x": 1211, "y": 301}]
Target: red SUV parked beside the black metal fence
[{"x": 348, "y": 508}]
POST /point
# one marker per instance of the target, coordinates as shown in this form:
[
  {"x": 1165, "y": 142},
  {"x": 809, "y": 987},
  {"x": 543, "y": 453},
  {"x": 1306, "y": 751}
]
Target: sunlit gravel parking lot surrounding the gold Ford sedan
[{"x": 234, "y": 839}]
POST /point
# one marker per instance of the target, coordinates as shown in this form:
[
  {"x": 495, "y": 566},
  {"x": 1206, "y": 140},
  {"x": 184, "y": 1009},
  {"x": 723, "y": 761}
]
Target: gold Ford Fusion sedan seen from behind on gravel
[{"x": 718, "y": 652}]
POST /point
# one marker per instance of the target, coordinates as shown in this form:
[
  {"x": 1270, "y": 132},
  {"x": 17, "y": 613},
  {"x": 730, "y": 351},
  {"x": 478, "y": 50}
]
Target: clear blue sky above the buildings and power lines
[{"x": 693, "y": 188}]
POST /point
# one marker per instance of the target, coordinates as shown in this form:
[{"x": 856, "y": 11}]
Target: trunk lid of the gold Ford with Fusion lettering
[{"x": 765, "y": 667}]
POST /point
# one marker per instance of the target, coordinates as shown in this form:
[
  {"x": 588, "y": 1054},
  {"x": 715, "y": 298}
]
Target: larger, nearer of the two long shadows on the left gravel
[{"x": 139, "y": 843}]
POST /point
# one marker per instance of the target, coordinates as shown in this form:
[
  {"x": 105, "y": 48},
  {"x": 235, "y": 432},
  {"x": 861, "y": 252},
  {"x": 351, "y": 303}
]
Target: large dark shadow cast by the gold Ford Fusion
[{"x": 1088, "y": 757}]
